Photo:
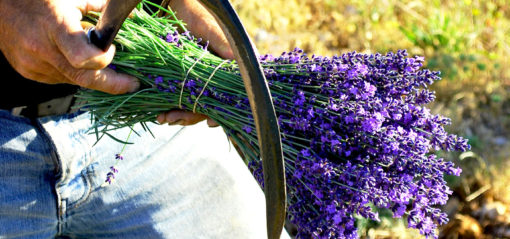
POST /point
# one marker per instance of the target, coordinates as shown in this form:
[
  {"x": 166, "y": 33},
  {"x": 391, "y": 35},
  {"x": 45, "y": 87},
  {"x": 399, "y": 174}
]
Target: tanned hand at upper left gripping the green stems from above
[{"x": 44, "y": 41}]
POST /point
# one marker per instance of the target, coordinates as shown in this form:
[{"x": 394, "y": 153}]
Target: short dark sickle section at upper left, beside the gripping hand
[{"x": 110, "y": 21}]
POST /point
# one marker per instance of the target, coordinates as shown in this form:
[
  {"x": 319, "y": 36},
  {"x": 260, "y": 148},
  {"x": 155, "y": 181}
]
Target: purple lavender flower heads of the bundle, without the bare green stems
[{"x": 355, "y": 133}]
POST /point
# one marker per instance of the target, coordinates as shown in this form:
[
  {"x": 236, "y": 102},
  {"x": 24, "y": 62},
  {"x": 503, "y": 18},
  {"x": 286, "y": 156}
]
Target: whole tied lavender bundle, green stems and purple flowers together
[{"x": 355, "y": 129}]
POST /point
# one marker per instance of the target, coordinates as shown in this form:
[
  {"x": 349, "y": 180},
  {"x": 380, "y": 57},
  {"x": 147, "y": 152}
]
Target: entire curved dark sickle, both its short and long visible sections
[{"x": 114, "y": 14}]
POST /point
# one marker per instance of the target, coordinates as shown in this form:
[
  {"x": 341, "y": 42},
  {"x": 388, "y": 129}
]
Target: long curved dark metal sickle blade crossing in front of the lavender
[{"x": 263, "y": 112}]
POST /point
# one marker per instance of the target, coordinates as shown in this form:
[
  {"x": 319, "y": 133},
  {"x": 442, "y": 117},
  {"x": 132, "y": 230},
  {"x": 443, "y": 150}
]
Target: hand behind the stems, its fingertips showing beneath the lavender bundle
[{"x": 202, "y": 24}]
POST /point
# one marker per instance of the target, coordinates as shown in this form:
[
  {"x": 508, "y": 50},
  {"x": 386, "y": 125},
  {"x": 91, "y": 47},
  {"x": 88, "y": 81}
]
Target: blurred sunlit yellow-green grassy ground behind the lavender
[{"x": 467, "y": 40}]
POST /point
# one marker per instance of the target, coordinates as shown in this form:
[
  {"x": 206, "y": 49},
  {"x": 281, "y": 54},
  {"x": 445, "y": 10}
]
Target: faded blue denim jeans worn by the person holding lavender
[{"x": 185, "y": 182}]
